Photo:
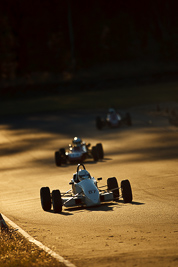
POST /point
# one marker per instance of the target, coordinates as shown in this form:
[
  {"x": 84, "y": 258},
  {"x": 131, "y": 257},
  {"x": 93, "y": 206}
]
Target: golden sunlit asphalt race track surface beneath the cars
[{"x": 115, "y": 234}]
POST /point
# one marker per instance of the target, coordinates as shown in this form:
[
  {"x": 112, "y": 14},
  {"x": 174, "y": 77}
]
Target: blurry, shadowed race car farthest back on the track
[{"x": 113, "y": 119}]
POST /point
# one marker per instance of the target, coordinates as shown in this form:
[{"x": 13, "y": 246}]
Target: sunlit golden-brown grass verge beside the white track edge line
[{"x": 16, "y": 251}]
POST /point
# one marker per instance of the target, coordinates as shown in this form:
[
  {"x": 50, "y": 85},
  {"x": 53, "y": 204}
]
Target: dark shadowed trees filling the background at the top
[{"x": 56, "y": 35}]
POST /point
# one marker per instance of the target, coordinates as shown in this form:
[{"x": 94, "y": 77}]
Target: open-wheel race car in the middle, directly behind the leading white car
[{"x": 78, "y": 152}]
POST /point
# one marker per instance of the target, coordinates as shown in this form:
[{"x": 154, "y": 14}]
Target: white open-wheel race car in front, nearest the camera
[{"x": 85, "y": 192}]
